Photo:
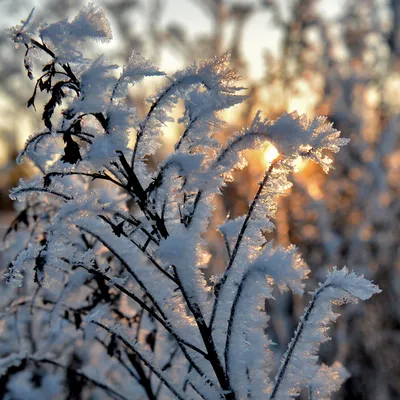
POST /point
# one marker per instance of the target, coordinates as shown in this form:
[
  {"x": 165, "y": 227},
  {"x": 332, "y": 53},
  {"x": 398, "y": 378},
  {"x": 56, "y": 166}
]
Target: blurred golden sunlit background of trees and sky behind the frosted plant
[{"x": 336, "y": 58}]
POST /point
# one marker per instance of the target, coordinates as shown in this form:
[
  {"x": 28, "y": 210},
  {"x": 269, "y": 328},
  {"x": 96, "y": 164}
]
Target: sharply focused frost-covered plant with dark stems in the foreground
[{"x": 108, "y": 293}]
